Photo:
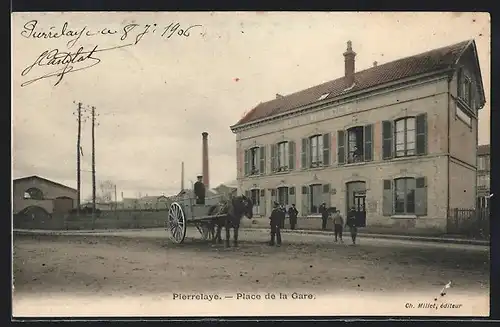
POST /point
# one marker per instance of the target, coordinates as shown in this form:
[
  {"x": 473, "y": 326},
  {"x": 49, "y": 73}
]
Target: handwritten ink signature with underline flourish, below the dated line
[{"x": 67, "y": 61}]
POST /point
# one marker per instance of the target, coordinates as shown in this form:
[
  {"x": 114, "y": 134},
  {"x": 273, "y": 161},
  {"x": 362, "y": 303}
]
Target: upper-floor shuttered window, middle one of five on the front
[{"x": 316, "y": 151}]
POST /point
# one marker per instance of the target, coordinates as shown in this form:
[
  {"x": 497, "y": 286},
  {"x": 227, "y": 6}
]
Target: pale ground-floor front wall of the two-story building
[{"x": 433, "y": 168}]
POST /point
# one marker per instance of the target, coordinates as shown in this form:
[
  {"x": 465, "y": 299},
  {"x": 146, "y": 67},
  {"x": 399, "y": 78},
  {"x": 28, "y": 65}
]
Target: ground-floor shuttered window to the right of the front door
[{"x": 405, "y": 196}]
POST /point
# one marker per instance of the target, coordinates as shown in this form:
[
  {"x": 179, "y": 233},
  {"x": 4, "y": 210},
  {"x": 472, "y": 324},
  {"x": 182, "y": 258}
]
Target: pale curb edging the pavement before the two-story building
[{"x": 388, "y": 236}]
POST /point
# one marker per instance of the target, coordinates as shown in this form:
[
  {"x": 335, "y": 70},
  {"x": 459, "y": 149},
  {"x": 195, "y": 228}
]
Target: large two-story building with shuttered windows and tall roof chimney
[{"x": 397, "y": 141}]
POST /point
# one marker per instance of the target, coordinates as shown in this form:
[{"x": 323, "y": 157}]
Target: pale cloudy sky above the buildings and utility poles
[{"x": 198, "y": 71}]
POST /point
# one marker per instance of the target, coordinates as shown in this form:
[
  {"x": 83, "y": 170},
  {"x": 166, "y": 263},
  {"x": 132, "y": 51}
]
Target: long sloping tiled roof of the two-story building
[{"x": 422, "y": 63}]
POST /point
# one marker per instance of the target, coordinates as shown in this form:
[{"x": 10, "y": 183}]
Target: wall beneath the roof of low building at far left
[{"x": 50, "y": 192}]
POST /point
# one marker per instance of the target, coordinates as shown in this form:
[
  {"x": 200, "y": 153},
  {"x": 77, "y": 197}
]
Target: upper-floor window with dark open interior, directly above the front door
[{"x": 355, "y": 144}]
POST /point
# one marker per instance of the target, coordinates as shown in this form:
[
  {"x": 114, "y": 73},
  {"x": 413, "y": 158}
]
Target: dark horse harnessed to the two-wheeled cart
[{"x": 231, "y": 211}]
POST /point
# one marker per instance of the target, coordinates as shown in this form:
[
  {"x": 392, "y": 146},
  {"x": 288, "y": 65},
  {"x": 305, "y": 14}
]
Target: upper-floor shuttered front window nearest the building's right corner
[{"x": 404, "y": 137}]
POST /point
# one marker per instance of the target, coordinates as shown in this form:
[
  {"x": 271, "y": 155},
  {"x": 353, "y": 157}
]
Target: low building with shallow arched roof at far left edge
[{"x": 39, "y": 192}]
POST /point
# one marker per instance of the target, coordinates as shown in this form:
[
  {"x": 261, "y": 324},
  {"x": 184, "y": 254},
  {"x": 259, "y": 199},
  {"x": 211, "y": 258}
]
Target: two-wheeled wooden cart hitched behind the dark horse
[{"x": 184, "y": 213}]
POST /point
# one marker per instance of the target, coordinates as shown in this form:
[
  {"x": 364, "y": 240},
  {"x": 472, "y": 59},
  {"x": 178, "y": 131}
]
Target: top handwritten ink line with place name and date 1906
[{"x": 31, "y": 30}]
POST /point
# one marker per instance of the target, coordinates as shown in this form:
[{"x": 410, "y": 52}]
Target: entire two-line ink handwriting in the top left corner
[{"x": 72, "y": 61}]
